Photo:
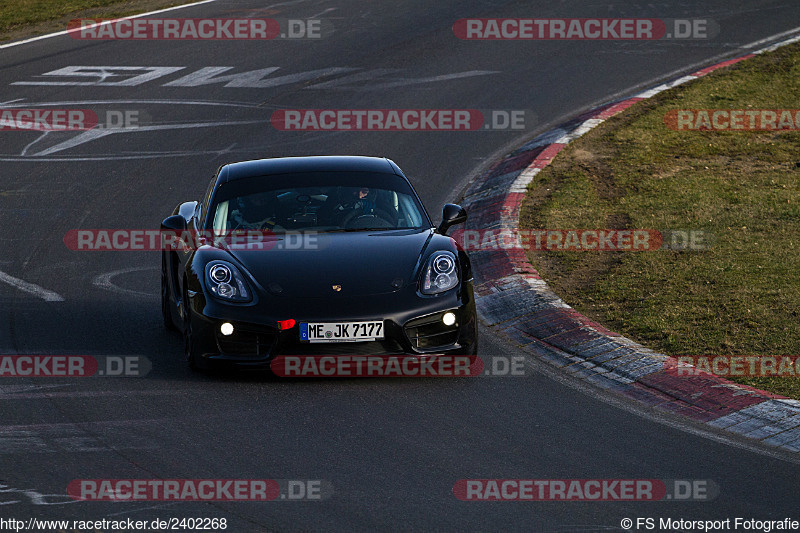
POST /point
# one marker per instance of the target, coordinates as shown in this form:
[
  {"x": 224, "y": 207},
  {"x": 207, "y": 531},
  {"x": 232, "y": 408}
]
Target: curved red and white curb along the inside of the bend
[{"x": 514, "y": 300}]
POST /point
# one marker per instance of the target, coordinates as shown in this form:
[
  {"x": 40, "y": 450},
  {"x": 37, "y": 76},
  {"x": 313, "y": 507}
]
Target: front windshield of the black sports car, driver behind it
[{"x": 319, "y": 202}]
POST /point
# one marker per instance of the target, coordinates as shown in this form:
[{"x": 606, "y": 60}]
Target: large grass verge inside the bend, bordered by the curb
[{"x": 740, "y": 296}]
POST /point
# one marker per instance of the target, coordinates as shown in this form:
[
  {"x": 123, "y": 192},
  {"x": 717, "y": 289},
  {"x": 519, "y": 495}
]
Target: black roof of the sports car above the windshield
[{"x": 288, "y": 165}]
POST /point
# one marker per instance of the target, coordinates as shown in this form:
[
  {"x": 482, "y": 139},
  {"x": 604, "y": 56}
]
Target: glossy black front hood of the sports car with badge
[{"x": 360, "y": 263}]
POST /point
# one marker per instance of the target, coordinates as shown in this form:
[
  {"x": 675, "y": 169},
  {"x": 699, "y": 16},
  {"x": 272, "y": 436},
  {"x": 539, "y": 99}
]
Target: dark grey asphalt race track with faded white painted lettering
[{"x": 389, "y": 450}]
